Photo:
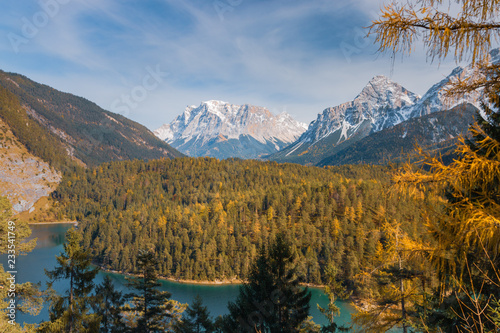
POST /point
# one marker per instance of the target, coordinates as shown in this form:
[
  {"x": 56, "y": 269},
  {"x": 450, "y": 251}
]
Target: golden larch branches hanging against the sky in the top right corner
[{"x": 469, "y": 34}]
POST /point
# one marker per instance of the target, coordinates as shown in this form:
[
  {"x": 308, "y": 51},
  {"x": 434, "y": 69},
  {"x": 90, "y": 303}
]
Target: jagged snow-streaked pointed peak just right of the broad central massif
[{"x": 379, "y": 105}]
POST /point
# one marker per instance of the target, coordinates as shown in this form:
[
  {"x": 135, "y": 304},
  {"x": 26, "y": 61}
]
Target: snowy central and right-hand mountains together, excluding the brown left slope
[{"x": 223, "y": 130}]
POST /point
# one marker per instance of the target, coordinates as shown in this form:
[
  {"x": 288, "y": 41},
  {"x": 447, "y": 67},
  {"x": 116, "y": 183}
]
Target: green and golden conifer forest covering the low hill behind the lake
[{"x": 206, "y": 219}]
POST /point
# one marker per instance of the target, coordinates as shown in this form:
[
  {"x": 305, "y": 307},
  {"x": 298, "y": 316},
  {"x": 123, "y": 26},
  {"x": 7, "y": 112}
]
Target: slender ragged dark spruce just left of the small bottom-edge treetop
[{"x": 150, "y": 305}]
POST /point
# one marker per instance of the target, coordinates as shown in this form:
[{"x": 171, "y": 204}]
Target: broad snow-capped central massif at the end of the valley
[{"x": 224, "y": 130}]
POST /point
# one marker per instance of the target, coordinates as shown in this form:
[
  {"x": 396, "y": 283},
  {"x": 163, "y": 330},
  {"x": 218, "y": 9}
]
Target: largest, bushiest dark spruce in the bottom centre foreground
[{"x": 272, "y": 300}]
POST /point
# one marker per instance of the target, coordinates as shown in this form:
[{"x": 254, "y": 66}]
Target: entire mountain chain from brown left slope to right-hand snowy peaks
[{"x": 52, "y": 131}]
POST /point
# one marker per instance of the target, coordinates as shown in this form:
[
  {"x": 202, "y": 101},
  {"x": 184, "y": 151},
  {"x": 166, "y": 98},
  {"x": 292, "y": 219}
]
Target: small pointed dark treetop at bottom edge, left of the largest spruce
[{"x": 197, "y": 319}]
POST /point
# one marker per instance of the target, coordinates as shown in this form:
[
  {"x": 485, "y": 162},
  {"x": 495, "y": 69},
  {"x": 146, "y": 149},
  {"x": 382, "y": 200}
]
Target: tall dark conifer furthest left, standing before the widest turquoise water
[{"x": 71, "y": 312}]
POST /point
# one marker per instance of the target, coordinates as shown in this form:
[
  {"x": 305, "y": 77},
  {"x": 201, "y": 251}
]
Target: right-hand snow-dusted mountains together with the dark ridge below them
[{"x": 343, "y": 134}]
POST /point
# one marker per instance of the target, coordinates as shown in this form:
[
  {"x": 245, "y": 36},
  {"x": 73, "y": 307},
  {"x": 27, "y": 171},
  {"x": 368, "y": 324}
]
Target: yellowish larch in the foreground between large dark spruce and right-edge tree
[{"x": 396, "y": 282}]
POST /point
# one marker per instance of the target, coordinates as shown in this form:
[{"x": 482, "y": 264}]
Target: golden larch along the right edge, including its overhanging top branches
[{"x": 464, "y": 225}]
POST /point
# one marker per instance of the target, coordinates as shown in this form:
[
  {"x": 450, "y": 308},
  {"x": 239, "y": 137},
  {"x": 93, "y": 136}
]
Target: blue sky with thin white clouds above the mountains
[{"x": 149, "y": 59}]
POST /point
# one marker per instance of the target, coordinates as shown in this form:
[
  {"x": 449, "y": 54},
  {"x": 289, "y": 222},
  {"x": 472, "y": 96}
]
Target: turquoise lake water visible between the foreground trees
[{"x": 215, "y": 297}]
